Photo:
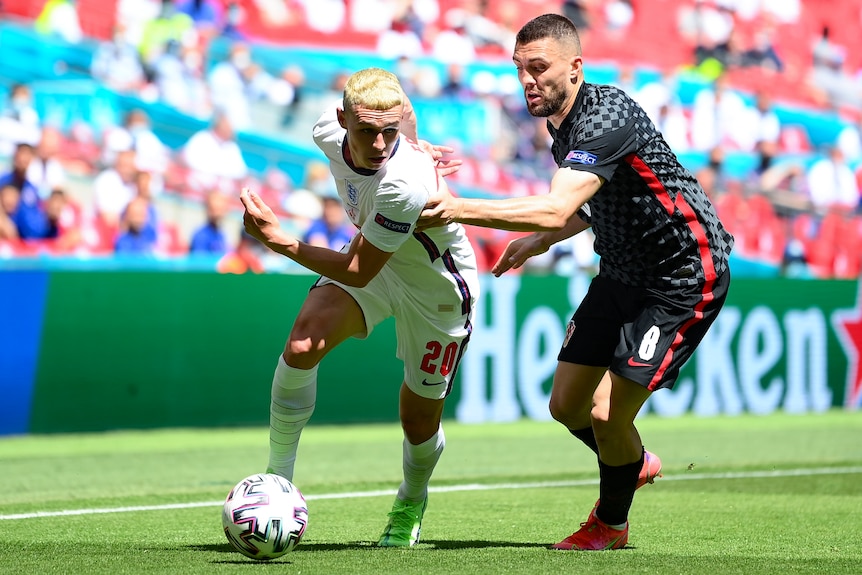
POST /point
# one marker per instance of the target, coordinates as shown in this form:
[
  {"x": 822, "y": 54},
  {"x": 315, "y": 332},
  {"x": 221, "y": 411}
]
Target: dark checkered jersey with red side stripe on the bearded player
[{"x": 654, "y": 224}]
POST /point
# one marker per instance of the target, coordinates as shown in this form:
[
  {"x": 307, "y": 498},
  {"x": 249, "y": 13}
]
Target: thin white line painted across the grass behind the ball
[{"x": 452, "y": 489}]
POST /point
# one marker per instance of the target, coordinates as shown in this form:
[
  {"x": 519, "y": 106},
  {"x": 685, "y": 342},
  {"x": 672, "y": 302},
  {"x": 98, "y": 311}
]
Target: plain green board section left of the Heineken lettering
[{"x": 145, "y": 350}]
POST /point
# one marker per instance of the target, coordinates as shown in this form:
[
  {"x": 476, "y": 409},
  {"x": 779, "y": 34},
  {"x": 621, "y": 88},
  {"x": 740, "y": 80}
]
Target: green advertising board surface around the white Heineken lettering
[{"x": 143, "y": 350}]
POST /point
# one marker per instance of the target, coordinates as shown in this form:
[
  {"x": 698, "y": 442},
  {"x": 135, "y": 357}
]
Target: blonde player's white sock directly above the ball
[{"x": 293, "y": 395}]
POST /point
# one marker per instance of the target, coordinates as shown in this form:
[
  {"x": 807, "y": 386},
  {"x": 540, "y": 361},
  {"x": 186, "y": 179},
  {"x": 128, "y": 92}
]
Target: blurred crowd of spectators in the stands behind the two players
[{"x": 796, "y": 205}]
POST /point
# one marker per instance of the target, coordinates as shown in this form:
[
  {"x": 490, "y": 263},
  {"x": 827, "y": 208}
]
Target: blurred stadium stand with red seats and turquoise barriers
[{"x": 661, "y": 41}]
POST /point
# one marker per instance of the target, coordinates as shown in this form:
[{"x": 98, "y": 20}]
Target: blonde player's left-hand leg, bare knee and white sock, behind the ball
[{"x": 327, "y": 317}]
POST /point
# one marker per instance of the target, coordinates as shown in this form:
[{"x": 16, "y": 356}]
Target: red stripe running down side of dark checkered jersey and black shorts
[{"x": 661, "y": 194}]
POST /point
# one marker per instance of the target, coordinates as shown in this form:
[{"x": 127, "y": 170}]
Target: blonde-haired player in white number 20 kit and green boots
[{"x": 426, "y": 280}]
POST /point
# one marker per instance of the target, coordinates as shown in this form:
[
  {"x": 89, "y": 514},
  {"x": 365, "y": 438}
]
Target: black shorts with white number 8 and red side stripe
[{"x": 642, "y": 334}]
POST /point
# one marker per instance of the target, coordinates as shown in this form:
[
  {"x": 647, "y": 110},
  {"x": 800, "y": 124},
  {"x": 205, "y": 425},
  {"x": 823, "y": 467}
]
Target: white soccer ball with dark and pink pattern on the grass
[{"x": 264, "y": 516}]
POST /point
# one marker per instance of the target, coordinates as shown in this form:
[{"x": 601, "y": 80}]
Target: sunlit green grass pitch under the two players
[{"x": 740, "y": 495}]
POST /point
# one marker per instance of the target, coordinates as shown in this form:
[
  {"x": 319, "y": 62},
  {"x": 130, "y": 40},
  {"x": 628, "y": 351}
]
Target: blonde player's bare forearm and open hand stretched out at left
[{"x": 356, "y": 267}]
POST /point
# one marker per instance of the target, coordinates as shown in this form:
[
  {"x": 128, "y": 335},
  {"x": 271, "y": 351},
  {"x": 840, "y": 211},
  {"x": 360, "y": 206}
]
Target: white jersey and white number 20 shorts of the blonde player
[{"x": 430, "y": 283}]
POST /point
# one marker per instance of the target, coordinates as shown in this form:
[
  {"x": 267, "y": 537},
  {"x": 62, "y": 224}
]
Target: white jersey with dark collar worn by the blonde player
[{"x": 385, "y": 205}]
